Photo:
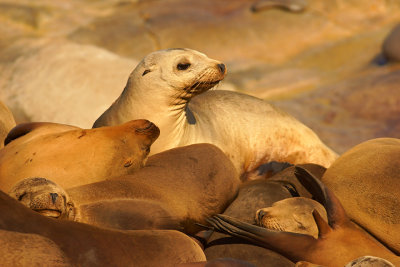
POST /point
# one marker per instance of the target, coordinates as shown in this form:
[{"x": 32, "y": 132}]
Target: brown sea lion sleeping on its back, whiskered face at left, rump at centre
[{"x": 176, "y": 188}]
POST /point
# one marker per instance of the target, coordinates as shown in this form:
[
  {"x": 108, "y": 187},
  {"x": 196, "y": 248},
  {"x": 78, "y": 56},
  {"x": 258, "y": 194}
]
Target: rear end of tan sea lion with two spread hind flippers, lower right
[{"x": 339, "y": 241}]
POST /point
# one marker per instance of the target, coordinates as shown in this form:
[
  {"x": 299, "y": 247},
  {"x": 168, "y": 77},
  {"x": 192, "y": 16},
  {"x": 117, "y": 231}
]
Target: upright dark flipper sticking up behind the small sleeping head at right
[{"x": 334, "y": 209}]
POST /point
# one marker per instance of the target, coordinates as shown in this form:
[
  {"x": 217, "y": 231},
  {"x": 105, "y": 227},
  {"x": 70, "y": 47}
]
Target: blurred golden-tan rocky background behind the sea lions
[{"x": 321, "y": 61}]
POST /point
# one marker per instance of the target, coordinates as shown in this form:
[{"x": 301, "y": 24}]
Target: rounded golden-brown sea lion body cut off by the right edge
[{"x": 366, "y": 179}]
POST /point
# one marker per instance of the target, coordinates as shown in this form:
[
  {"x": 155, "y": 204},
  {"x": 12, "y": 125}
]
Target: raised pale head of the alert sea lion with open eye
[{"x": 187, "y": 72}]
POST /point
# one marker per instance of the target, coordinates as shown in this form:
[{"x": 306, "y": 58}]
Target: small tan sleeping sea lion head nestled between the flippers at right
[{"x": 291, "y": 215}]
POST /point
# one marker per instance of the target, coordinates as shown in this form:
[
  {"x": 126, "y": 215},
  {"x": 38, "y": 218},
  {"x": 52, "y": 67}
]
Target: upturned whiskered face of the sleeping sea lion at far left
[{"x": 44, "y": 197}]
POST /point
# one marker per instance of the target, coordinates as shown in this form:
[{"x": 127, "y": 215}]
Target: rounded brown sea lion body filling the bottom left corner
[{"x": 26, "y": 250}]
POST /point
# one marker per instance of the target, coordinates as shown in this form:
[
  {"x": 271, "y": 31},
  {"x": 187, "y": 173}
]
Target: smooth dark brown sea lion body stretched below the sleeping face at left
[{"x": 85, "y": 245}]
